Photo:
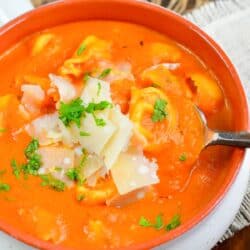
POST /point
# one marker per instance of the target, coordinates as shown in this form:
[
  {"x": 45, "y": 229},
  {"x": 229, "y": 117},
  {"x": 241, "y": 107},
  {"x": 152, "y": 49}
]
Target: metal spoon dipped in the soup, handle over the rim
[{"x": 238, "y": 139}]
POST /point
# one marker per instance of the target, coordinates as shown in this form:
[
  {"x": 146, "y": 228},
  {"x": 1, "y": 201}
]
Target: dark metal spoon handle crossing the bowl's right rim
[{"x": 240, "y": 139}]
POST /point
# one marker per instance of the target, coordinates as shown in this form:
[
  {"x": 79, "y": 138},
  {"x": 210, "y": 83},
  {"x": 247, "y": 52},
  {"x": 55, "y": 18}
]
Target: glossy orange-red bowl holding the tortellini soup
[{"x": 166, "y": 22}]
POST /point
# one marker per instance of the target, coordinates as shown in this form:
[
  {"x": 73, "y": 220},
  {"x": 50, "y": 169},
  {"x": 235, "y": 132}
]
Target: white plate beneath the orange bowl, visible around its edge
[{"x": 202, "y": 236}]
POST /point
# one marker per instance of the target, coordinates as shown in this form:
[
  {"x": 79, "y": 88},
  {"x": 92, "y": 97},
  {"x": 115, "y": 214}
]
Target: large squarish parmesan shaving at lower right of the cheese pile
[{"x": 128, "y": 175}]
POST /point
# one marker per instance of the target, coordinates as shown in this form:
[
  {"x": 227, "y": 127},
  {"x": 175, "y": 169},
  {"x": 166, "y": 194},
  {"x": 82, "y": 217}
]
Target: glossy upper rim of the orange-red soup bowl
[{"x": 212, "y": 204}]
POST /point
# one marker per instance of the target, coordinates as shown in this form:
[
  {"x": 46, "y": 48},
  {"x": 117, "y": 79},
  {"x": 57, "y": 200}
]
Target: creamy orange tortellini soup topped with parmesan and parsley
[{"x": 100, "y": 137}]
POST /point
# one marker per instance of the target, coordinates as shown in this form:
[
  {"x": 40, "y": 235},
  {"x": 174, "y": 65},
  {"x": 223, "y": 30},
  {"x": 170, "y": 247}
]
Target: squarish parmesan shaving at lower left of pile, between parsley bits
[{"x": 56, "y": 161}]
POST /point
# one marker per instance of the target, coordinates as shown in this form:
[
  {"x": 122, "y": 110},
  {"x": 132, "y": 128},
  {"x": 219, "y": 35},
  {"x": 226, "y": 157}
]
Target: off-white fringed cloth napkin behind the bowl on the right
[{"x": 228, "y": 22}]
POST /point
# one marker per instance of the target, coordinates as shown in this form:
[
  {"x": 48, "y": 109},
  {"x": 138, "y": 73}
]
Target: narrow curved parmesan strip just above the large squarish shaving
[{"x": 120, "y": 139}]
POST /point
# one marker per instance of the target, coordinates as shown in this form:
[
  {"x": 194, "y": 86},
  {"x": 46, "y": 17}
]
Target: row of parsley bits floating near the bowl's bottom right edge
[{"x": 158, "y": 224}]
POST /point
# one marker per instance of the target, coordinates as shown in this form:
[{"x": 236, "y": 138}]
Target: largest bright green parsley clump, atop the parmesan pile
[{"x": 71, "y": 112}]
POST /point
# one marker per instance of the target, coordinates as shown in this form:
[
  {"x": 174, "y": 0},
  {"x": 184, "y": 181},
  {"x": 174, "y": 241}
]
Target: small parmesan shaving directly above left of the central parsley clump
[{"x": 66, "y": 89}]
